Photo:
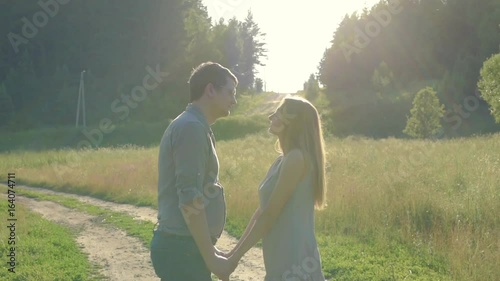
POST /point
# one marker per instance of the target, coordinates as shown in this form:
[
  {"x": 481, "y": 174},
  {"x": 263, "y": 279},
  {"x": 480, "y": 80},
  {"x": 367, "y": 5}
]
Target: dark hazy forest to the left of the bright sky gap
[{"x": 125, "y": 47}]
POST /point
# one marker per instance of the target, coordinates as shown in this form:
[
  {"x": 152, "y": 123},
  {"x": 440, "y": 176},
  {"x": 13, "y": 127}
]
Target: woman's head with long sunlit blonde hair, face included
[{"x": 303, "y": 131}]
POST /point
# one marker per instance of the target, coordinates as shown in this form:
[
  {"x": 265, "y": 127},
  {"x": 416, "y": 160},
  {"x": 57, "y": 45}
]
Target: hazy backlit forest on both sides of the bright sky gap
[{"x": 137, "y": 57}]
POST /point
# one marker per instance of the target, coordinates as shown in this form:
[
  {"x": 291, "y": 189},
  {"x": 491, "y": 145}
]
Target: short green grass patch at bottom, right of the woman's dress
[{"x": 346, "y": 258}]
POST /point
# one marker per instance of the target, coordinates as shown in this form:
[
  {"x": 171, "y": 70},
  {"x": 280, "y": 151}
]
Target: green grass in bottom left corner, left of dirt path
[{"x": 44, "y": 250}]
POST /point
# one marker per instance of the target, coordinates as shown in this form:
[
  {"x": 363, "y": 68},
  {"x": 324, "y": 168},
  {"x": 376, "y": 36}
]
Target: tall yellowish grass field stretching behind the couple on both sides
[{"x": 397, "y": 209}]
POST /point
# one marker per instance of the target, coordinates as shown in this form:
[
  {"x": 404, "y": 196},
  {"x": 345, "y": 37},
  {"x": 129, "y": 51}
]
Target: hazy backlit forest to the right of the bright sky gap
[{"x": 379, "y": 59}]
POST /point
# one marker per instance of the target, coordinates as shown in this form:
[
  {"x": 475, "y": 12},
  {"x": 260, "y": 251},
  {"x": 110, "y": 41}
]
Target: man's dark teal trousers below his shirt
[{"x": 177, "y": 258}]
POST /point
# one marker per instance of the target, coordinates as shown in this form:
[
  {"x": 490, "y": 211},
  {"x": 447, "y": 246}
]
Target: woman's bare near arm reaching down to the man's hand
[{"x": 291, "y": 172}]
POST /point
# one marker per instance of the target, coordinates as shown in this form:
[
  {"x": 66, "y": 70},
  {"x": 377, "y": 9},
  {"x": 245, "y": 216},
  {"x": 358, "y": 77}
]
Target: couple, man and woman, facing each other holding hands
[{"x": 191, "y": 203}]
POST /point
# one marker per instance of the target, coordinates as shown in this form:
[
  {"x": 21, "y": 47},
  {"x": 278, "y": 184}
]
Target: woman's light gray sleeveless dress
[{"x": 290, "y": 249}]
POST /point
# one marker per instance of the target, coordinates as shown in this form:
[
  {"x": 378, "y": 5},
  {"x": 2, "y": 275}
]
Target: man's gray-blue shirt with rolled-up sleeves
[{"x": 188, "y": 170}]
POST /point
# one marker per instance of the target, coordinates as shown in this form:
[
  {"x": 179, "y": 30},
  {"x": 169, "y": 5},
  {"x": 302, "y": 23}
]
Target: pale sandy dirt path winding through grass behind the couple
[{"x": 131, "y": 262}]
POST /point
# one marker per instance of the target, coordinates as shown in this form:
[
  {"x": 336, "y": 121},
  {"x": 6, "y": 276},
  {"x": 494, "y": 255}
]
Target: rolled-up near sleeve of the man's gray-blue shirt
[{"x": 190, "y": 152}]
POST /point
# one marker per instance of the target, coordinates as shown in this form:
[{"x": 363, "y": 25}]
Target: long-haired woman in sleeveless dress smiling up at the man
[{"x": 293, "y": 186}]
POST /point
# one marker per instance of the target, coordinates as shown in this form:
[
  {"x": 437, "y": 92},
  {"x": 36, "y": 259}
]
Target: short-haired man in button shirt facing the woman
[{"x": 191, "y": 204}]
